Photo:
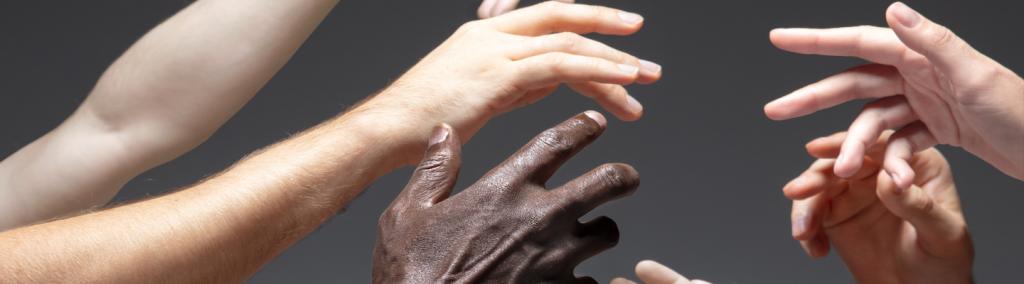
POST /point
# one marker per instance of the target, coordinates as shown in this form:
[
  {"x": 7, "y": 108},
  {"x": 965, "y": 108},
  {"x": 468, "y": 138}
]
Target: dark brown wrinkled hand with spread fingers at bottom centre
[{"x": 507, "y": 227}]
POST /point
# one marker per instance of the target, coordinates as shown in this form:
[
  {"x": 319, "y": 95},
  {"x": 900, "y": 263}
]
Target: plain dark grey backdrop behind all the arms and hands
[{"x": 710, "y": 205}]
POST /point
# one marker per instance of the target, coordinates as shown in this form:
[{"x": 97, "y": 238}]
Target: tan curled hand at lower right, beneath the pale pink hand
[{"x": 883, "y": 233}]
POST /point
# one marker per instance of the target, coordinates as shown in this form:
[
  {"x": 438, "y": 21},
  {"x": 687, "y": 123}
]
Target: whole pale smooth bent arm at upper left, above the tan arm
[{"x": 167, "y": 95}]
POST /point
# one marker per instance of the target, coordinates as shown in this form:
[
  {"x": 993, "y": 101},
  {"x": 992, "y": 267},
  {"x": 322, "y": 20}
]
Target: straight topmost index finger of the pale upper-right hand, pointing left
[{"x": 871, "y": 44}]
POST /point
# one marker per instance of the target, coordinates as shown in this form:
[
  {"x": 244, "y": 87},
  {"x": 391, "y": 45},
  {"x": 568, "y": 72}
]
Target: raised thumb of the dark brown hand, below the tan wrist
[{"x": 437, "y": 175}]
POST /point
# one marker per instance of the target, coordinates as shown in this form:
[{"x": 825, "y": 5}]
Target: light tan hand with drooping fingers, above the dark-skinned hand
[{"x": 494, "y": 66}]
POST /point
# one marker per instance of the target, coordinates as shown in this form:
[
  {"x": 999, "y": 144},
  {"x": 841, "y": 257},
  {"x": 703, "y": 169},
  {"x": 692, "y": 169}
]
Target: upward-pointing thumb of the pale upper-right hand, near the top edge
[{"x": 938, "y": 45}]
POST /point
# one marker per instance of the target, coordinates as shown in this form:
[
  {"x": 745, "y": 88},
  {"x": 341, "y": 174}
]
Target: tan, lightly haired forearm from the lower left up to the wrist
[{"x": 224, "y": 229}]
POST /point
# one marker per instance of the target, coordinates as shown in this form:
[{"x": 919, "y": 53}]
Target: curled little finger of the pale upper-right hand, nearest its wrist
[{"x": 903, "y": 146}]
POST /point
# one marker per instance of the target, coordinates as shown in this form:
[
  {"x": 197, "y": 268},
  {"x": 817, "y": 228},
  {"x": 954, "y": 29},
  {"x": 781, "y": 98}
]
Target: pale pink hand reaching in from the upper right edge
[{"x": 931, "y": 86}]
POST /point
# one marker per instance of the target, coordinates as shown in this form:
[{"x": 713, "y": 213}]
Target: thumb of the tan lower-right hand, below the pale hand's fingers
[{"x": 937, "y": 229}]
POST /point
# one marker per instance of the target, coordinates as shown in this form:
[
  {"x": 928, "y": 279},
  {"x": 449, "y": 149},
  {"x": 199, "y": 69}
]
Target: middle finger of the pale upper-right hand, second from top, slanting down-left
[{"x": 862, "y": 83}]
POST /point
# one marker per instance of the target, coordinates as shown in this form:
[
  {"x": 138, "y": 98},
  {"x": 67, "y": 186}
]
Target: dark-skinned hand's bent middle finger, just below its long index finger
[{"x": 603, "y": 185}]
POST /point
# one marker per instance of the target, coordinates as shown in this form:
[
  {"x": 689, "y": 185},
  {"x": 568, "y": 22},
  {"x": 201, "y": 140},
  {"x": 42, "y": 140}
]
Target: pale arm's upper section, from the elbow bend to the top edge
[{"x": 182, "y": 82}]
